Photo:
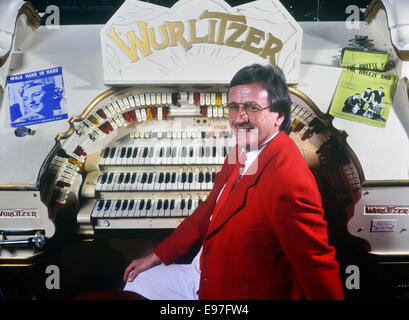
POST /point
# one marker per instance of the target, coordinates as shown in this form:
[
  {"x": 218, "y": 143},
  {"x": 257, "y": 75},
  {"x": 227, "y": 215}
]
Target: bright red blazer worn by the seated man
[{"x": 269, "y": 241}]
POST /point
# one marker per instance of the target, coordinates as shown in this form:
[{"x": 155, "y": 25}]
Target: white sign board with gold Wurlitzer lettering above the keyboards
[{"x": 197, "y": 41}]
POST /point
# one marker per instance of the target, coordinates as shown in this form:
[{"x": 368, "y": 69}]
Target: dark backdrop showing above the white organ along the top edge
[{"x": 100, "y": 11}]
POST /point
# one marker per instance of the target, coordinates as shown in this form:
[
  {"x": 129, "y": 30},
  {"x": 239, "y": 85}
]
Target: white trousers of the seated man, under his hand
[{"x": 172, "y": 282}]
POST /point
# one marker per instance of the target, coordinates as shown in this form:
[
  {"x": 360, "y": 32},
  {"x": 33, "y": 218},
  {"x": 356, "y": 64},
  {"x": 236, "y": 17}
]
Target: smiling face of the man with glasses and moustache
[{"x": 256, "y": 127}]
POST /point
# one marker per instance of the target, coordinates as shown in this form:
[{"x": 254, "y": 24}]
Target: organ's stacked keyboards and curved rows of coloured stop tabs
[{"x": 161, "y": 160}]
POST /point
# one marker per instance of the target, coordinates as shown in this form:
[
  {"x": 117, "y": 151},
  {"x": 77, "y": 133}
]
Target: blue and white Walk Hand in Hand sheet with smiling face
[{"x": 36, "y": 97}]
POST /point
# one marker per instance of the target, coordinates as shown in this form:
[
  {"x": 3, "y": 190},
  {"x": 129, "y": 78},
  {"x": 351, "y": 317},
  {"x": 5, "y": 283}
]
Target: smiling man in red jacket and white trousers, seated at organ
[{"x": 261, "y": 235}]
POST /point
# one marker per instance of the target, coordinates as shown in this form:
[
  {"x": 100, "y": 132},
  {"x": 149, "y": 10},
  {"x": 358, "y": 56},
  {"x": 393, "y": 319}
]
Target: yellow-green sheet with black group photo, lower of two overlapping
[{"x": 364, "y": 96}]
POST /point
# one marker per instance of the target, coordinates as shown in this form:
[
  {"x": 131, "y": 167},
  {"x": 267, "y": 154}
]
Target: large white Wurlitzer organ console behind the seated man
[{"x": 148, "y": 127}]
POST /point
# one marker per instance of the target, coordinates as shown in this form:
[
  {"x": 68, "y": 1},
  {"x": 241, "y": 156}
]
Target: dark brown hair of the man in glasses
[{"x": 271, "y": 78}]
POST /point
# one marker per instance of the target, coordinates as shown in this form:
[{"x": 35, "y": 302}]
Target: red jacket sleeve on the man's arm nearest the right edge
[{"x": 301, "y": 230}]
